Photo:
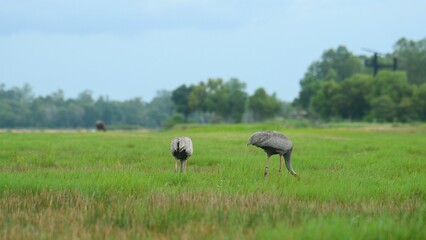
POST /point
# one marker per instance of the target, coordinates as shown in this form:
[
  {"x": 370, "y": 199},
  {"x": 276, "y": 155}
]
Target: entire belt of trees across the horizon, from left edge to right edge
[{"x": 337, "y": 87}]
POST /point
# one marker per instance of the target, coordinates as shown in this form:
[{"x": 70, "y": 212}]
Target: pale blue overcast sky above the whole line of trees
[{"x": 130, "y": 48}]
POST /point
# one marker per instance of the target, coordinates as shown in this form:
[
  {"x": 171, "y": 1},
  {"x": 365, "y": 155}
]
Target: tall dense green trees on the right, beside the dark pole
[{"x": 339, "y": 86}]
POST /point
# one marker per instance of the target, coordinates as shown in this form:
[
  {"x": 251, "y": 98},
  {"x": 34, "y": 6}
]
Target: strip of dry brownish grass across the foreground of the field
[{"x": 180, "y": 215}]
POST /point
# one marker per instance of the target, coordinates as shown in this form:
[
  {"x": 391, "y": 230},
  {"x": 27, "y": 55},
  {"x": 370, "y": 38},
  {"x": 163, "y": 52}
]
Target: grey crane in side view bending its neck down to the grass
[{"x": 274, "y": 143}]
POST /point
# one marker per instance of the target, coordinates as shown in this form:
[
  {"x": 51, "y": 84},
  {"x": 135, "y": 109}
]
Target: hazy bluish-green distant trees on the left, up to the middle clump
[{"x": 19, "y": 108}]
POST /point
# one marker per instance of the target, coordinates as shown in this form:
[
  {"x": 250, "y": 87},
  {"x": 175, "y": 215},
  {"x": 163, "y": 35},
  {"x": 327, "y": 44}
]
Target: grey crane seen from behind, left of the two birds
[{"x": 181, "y": 149}]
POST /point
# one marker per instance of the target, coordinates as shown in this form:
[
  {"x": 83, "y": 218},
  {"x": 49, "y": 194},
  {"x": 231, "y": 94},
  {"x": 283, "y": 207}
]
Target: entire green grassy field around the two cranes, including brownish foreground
[{"x": 366, "y": 182}]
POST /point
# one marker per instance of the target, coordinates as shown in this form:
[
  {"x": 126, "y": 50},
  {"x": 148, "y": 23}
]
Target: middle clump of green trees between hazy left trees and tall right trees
[{"x": 224, "y": 101}]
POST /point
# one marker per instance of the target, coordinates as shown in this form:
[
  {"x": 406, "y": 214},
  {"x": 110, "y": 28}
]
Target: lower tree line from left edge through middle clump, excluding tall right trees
[{"x": 212, "y": 101}]
